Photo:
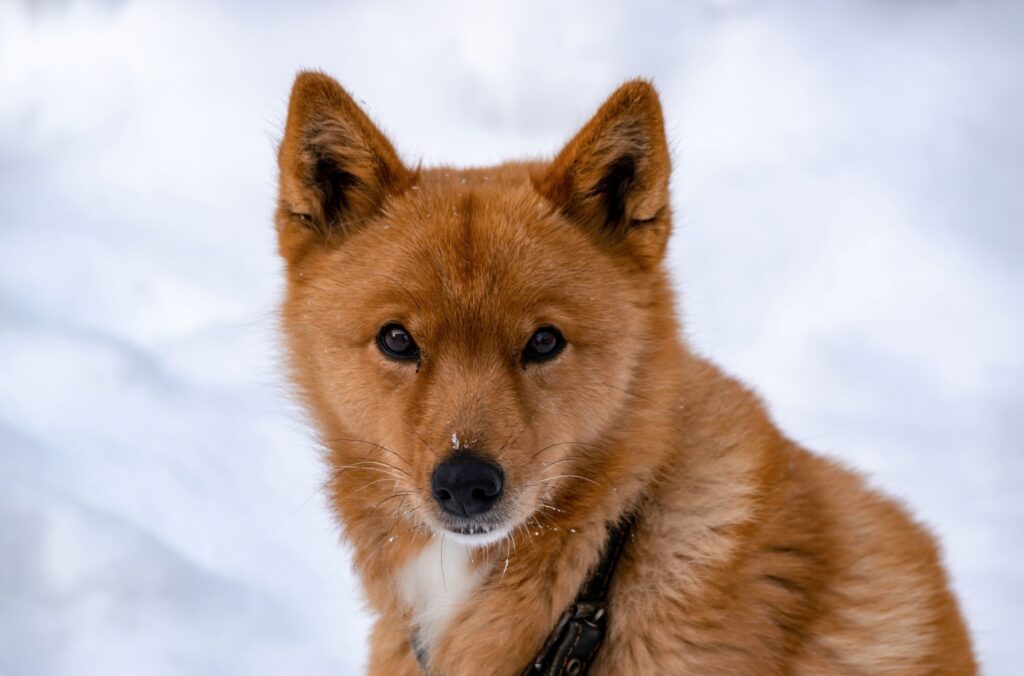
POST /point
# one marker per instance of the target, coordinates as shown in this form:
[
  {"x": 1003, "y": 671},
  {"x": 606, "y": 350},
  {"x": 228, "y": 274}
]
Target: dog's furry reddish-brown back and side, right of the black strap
[{"x": 771, "y": 560}]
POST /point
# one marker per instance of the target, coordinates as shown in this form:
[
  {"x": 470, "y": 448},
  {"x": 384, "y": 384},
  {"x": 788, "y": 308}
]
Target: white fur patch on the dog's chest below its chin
[{"x": 434, "y": 583}]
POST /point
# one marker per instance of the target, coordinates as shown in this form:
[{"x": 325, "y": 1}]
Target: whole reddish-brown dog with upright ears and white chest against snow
[{"x": 495, "y": 366}]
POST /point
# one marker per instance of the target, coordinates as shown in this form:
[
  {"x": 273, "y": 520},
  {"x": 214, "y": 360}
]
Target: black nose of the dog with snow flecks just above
[{"x": 466, "y": 485}]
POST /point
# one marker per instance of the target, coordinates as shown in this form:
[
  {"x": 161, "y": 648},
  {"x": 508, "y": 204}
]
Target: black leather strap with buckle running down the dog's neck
[{"x": 574, "y": 644}]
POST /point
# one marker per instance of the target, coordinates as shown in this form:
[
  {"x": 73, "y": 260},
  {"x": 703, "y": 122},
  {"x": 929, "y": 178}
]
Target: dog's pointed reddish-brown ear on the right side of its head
[{"x": 613, "y": 179}]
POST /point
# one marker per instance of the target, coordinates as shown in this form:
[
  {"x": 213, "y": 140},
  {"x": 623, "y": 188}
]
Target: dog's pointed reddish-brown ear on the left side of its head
[{"x": 337, "y": 170}]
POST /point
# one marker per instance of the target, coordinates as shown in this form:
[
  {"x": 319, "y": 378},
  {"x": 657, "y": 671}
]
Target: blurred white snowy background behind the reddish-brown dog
[{"x": 850, "y": 196}]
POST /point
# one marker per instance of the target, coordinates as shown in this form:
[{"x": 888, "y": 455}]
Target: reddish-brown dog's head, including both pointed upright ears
[{"x": 467, "y": 339}]
